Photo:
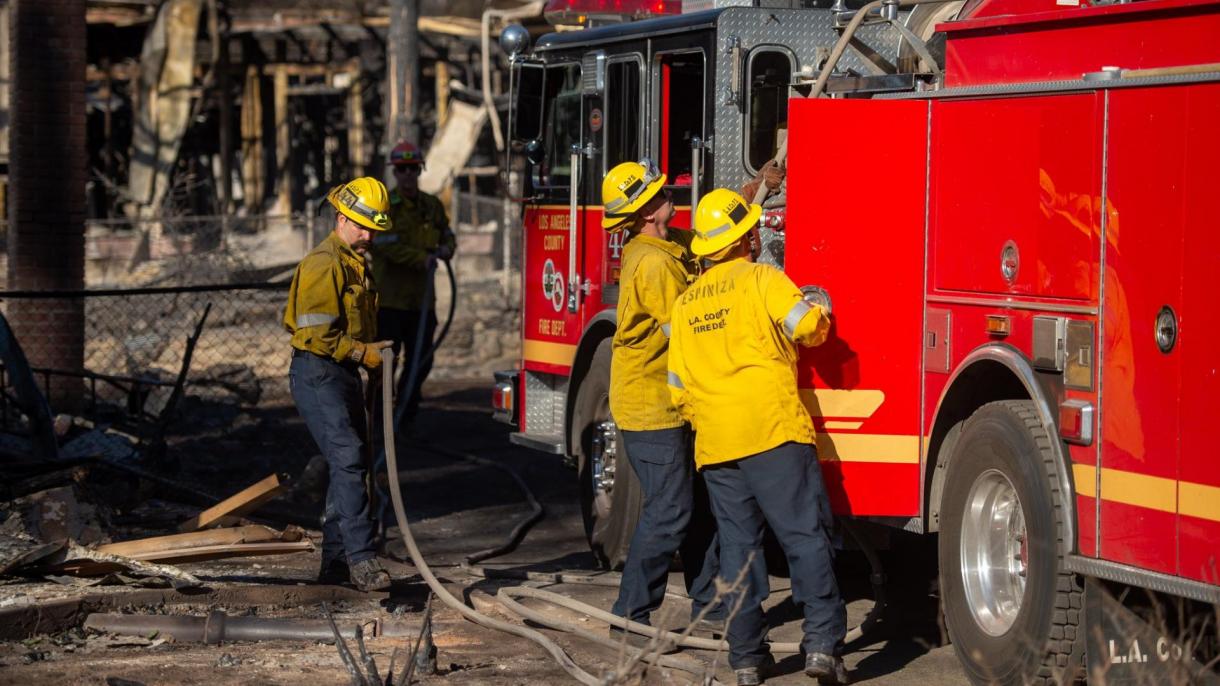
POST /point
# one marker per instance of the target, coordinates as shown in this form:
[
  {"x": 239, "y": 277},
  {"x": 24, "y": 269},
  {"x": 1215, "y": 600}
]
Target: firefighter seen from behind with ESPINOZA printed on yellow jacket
[{"x": 733, "y": 374}]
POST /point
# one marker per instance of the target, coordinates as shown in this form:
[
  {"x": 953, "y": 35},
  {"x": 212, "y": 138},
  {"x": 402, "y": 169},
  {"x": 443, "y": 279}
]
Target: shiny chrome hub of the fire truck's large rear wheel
[{"x": 995, "y": 556}]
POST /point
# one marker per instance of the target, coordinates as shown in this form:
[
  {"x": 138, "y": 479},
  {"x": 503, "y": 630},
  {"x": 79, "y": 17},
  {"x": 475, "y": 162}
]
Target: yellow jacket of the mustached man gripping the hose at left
[{"x": 331, "y": 302}]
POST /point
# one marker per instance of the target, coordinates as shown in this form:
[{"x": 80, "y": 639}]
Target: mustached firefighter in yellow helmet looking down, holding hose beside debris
[{"x": 332, "y": 317}]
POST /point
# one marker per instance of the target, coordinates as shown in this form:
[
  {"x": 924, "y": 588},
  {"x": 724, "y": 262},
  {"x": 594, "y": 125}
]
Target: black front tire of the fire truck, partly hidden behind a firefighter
[{"x": 609, "y": 518}]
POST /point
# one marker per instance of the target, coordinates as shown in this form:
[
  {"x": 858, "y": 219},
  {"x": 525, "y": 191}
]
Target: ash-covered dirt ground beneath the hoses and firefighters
[{"x": 456, "y": 508}]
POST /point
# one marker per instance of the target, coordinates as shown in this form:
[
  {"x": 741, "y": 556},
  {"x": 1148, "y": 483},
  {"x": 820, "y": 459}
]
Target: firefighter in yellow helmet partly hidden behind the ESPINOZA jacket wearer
[{"x": 657, "y": 268}]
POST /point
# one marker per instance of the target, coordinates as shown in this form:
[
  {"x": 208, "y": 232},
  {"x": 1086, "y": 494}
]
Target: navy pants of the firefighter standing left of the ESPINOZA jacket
[{"x": 674, "y": 519}]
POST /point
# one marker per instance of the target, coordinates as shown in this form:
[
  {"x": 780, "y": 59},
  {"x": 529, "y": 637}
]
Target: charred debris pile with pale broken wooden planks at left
[{"x": 85, "y": 504}]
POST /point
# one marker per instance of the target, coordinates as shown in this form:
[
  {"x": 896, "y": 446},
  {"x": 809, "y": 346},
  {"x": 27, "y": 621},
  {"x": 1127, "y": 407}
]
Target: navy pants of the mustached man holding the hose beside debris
[{"x": 330, "y": 400}]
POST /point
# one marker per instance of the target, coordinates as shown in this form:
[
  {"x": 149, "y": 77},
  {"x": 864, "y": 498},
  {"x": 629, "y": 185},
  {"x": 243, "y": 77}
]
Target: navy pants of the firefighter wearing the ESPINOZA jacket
[{"x": 781, "y": 488}]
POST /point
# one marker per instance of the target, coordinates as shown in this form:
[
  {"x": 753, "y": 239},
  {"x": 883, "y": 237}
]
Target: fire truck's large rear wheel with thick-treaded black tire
[{"x": 1041, "y": 641}]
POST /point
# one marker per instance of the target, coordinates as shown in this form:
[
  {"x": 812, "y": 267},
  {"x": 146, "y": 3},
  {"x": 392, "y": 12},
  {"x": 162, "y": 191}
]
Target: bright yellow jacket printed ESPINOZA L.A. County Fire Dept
[{"x": 733, "y": 370}]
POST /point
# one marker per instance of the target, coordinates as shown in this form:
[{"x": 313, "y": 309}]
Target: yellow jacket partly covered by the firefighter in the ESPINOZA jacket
[{"x": 655, "y": 274}]
